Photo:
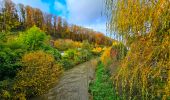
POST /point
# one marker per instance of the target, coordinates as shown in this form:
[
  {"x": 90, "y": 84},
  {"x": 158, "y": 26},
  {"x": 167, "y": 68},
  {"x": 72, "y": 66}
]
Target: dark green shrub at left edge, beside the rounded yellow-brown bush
[{"x": 10, "y": 54}]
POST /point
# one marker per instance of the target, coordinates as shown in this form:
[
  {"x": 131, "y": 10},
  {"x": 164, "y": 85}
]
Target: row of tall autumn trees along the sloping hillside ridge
[{"x": 18, "y": 17}]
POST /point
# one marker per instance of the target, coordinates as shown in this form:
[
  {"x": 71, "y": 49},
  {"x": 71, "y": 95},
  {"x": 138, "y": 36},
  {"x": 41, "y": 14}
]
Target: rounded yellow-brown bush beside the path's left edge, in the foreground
[{"x": 39, "y": 73}]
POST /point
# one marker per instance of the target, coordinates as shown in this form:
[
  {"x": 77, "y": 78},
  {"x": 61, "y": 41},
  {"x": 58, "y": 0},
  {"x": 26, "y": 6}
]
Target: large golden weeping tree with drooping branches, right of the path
[{"x": 144, "y": 26}]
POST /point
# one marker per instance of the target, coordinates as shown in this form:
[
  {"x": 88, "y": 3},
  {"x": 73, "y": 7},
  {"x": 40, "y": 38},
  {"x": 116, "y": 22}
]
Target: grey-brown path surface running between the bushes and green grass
[{"x": 73, "y": 85}]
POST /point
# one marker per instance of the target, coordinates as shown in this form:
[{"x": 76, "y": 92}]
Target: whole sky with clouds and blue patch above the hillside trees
[{"x": 86, "y": 13}]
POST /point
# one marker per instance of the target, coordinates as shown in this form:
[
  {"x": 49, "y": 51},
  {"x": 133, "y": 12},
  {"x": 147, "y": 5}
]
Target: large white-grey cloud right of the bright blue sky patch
[{"x": 87, "y": 13}]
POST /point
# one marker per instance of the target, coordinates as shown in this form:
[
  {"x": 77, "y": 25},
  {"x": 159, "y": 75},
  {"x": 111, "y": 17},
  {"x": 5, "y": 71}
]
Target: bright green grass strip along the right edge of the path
[{"x": 102, "y": 87}]
